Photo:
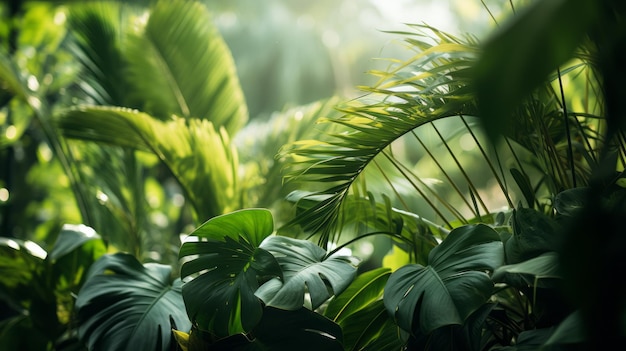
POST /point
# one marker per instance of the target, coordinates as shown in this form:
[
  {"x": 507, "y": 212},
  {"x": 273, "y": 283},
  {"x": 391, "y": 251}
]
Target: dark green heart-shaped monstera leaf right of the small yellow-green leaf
[{"x": 454, "y": 284}]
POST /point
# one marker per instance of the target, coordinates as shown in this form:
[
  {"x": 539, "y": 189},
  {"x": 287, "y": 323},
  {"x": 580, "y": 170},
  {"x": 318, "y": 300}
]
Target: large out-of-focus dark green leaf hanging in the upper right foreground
[{"x": 521, "y": 55}]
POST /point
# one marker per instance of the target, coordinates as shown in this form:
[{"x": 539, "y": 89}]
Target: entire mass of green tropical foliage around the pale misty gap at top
[{"x": 476, "y": 172}]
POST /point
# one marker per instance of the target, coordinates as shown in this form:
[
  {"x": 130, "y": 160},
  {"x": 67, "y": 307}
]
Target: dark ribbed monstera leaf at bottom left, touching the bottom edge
[{"x": 125, "y": 305}]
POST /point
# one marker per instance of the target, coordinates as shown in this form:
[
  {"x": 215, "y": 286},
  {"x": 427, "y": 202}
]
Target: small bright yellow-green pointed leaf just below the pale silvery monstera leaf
[{"x": 364, "y": 290}]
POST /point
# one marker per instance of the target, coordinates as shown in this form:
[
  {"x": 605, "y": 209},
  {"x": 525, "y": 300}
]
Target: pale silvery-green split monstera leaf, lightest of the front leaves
[{"x": 306, "y": 269}]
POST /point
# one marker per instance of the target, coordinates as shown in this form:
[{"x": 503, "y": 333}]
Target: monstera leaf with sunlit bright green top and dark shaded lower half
[{"x": 220, "y": 297}]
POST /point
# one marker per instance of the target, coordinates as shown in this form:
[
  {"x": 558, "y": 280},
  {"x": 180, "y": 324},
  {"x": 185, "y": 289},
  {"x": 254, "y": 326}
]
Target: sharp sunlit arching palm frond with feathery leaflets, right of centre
[{"x": 430, "y": 86}]
